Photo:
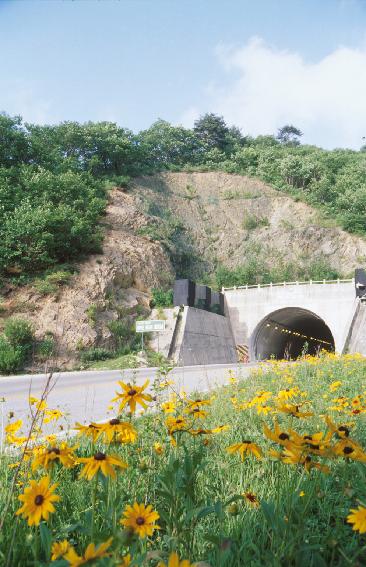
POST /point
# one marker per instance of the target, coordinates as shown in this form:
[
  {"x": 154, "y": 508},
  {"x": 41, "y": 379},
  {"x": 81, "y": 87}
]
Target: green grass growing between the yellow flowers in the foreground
[{"x": 197, "y": 487}]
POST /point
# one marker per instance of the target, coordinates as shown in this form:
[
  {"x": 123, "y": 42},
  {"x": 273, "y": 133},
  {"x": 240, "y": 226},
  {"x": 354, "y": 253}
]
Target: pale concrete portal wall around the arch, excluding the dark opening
[{"x": 335, "y": 303}]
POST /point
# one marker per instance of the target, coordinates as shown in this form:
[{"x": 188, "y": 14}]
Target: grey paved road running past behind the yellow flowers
[{"x": 85, "y": 395}]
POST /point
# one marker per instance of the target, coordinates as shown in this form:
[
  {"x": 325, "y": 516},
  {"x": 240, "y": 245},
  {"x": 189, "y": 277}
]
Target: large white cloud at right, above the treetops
[{"x": 268, "y": 88}]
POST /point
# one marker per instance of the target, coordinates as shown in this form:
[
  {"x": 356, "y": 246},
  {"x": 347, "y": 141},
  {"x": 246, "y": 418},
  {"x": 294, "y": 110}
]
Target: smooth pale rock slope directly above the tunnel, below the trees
[{"x": 213, "y": 207}]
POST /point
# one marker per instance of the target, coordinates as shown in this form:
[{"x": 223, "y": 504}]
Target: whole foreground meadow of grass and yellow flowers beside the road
[{"x": 266, "y": 471}]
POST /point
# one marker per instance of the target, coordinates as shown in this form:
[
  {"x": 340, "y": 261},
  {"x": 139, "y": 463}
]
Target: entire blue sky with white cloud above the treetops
[{"x": 259, "y": 63}]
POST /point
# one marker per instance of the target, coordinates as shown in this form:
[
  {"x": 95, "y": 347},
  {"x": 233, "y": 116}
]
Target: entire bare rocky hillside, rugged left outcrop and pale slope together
[{"x": 195, "y": 220}]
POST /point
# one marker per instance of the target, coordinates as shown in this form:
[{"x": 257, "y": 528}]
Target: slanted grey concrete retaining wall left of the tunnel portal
[{"x": 203, "y": 338}]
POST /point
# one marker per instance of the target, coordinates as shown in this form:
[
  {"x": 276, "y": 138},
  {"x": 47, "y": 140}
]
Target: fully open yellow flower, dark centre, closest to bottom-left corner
[{"x": 38, "y": 501}]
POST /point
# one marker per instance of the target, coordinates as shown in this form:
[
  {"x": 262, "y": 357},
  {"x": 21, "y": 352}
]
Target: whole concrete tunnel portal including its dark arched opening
[{"x": 321, "y": 311}]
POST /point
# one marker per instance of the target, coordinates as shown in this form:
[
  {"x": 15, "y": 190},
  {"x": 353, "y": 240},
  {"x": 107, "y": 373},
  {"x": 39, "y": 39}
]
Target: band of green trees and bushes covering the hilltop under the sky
[{"x": 53, "y": 178}]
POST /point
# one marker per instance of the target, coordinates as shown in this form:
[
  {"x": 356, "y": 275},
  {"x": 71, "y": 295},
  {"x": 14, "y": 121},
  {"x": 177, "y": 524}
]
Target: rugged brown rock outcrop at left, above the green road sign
[{"x": 128, "y": 268}]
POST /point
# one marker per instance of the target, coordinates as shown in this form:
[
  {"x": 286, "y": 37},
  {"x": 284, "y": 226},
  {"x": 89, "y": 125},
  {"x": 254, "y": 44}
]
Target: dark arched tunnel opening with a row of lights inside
[{"x": 288, "y": 333}]
